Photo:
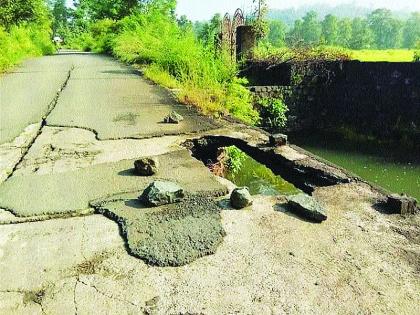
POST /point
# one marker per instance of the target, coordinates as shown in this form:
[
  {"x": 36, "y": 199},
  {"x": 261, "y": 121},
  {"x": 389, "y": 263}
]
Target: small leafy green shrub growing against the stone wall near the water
[{"x": 273, "y": 113}]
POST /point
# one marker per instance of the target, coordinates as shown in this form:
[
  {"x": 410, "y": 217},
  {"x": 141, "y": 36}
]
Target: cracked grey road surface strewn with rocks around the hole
[{"x": 71, "y": 126}]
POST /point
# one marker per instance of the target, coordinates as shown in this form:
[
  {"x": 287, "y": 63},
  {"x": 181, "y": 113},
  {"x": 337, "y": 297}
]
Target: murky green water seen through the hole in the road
[{"x": 259, "y": 179}]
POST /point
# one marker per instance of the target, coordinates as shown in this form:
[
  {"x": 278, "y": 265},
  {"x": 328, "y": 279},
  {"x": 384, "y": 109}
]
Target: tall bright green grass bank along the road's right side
[{"x": 172, "y": 56}]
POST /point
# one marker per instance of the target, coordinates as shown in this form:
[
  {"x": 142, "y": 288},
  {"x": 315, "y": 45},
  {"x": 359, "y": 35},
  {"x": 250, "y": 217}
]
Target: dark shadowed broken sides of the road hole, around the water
[{"x": 303, "y": 177}]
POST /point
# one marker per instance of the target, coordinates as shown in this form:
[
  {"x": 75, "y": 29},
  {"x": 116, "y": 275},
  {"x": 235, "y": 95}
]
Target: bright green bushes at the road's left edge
[{"x": 21, "y": 42}]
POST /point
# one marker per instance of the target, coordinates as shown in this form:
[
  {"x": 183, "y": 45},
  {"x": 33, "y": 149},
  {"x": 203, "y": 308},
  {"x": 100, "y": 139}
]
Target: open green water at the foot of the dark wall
[{"x": 392, "y": 168}]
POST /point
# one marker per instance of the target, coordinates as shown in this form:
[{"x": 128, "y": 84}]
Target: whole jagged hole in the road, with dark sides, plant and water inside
[{"x": 262, "y": 168}]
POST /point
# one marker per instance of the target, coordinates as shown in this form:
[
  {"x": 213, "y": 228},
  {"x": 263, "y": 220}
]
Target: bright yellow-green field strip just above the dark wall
[{"x": 390, "y": 55}]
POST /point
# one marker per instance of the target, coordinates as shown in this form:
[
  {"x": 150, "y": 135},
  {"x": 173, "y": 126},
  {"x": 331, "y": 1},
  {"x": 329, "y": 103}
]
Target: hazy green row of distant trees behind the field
[{"x": 381, "y": 29}]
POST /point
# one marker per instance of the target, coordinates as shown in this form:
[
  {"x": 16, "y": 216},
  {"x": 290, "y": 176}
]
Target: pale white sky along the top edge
[{"x": 205, "y": 9}]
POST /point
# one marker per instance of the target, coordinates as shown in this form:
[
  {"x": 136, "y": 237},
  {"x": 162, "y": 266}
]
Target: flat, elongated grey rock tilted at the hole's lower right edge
[{"x": 307, "y": 207}]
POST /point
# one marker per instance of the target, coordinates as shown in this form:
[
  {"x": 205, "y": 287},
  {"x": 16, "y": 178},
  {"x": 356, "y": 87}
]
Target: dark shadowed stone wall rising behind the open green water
[{"x": 382, "y": 99}]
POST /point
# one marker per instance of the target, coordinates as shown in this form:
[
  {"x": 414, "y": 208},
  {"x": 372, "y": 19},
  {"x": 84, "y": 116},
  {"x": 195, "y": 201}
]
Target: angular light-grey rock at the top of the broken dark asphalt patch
[{"x": 162, "y": 193}]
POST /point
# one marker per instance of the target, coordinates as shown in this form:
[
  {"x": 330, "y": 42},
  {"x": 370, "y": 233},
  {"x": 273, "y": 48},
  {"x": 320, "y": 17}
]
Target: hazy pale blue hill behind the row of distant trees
[{"x": 289, "y": 16}]
